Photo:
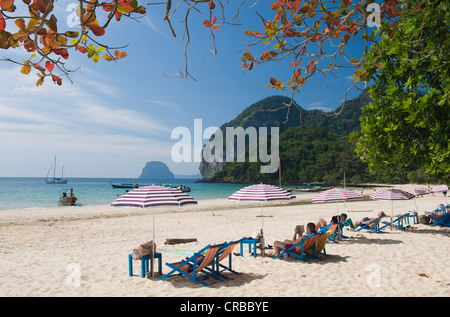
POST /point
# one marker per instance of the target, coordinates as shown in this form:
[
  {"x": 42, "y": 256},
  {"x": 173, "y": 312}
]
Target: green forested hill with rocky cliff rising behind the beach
[{"x": 314, "y": 146}]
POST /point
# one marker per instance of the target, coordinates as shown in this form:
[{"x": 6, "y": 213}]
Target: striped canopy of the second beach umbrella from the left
[{"x": 261, "y": 192}]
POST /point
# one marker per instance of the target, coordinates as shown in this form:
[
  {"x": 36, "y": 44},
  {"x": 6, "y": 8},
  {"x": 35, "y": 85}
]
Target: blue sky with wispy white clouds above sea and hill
[{"x": 115, "y": 117}]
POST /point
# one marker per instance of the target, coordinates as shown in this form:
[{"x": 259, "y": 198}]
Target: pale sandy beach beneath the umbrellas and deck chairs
[{"x": 83, "y": 251}]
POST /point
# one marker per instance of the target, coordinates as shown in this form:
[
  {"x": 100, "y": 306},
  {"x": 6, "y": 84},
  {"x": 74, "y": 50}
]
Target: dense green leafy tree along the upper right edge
[{"x": 408, "y": 122}]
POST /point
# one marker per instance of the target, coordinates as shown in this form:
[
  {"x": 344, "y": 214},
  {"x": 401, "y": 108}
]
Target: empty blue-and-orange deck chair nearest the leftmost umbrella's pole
[{"x": 192, "y": 266}]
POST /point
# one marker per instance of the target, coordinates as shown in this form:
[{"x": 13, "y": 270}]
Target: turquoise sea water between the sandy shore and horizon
[{"x": 21, "y": 192}]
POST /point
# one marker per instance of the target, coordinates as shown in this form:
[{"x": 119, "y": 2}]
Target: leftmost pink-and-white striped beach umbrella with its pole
[{"x": 153, "y": 196}]
